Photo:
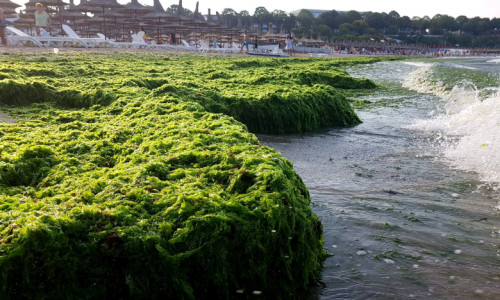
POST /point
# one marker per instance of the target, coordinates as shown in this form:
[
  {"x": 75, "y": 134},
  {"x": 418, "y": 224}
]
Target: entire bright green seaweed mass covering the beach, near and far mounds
[{"x": 139, "y": 177}]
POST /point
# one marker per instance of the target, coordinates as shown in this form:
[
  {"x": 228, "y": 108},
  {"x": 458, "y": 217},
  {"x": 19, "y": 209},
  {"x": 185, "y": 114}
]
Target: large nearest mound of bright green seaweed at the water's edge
[{"x": 188, "y": 208}]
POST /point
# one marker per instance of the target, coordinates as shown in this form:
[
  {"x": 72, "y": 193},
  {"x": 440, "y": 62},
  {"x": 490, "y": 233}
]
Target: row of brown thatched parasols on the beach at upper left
[{"x": 118, "y": 21}]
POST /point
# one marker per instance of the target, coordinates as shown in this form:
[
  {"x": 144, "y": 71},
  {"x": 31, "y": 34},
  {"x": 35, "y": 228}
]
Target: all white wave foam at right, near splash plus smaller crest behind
[{"x": 470, "y": 122}]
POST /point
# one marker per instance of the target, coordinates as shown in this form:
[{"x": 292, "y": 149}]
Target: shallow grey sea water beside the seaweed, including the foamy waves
[{"x": 404, "y": 214}]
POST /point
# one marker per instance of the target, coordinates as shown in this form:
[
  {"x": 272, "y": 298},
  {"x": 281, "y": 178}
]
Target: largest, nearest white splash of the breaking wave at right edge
[{"x": 475, "y": 125}]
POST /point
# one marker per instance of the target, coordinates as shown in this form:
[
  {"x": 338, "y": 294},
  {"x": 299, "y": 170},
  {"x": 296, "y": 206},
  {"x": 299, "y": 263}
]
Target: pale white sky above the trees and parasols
[{"x": 482, "y": 8}]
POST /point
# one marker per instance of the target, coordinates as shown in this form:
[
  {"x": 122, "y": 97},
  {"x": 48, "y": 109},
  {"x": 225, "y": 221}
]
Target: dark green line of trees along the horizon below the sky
[{"x": 333, "y": 25}]
